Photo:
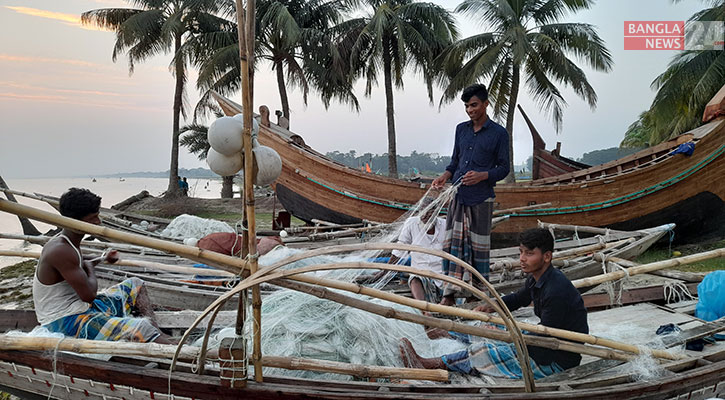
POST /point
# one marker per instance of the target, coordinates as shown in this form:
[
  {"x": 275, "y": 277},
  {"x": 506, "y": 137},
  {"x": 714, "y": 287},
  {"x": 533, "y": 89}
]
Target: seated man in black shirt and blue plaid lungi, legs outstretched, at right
[{"x": 556, "y": 302}]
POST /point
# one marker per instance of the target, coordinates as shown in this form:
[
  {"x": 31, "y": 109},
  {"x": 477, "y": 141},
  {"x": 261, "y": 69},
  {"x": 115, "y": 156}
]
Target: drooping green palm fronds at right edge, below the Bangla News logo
[{"x": 692, "y": 78}]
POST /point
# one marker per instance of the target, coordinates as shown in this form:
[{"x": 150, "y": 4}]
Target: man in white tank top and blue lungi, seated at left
[{"x": 65, "y": 286}]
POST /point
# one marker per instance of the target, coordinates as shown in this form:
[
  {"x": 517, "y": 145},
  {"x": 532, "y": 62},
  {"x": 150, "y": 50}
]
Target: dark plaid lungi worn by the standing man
[{"x": 468, "y": 237}]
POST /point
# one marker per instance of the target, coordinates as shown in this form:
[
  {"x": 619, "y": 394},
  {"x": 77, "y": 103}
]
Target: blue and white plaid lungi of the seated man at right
[{"x": 497, "y": 360}]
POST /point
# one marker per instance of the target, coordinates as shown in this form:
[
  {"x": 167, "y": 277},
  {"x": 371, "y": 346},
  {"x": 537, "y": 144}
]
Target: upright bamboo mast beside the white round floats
[{"x": 245, "y": 31}]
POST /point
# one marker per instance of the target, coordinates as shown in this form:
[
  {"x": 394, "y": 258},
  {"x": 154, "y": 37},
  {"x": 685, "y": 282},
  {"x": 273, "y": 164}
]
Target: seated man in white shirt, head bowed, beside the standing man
[{"x": 427, "y": 232}]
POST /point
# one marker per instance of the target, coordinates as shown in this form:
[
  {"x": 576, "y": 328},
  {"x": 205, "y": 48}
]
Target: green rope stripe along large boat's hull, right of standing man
[{"x": 626, "y": 198}]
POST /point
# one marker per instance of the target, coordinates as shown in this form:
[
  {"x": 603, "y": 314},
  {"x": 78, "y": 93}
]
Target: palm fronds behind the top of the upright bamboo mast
[{"x": 294, "y": 36}]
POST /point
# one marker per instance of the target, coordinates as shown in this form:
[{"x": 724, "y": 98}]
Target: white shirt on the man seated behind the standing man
[{"x": 413, "y": 233}]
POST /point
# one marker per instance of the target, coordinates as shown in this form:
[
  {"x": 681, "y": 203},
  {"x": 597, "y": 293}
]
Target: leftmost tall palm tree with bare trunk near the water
[{"x": 158, "y": 27}]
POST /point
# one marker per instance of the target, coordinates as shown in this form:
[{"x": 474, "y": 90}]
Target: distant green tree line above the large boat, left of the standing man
[{"x": 426, "y": 163}]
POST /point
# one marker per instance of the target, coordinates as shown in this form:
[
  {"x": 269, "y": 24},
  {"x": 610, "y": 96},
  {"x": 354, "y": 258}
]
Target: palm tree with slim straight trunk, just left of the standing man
[{"x": 395, "y": 35}]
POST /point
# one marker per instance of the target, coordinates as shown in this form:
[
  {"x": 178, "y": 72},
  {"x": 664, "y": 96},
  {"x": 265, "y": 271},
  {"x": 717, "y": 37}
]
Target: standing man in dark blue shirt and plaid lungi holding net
[{"x": 480, "y": 159}]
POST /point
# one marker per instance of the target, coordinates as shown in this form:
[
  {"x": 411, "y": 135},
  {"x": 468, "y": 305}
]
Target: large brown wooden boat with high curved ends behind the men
[{"x": 644, "y": 189}]
